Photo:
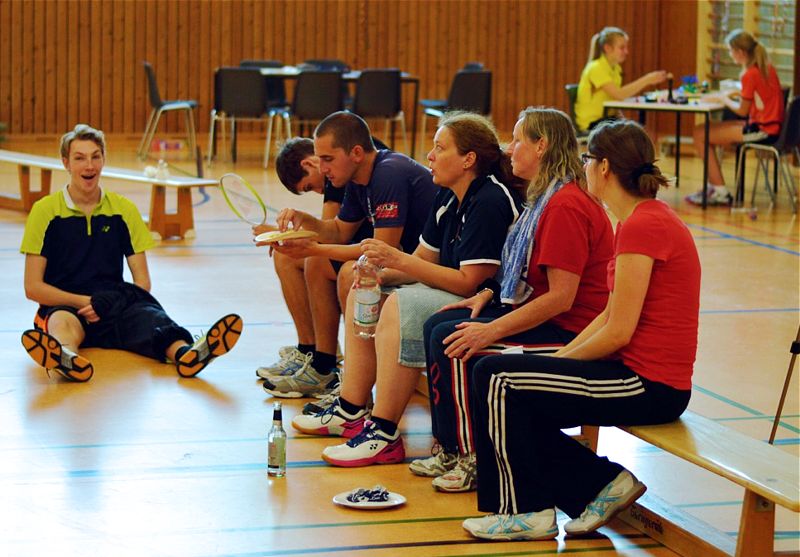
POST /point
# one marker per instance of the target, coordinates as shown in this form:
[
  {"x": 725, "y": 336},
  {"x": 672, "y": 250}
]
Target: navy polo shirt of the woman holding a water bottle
[{"x": 473, "y": 232}]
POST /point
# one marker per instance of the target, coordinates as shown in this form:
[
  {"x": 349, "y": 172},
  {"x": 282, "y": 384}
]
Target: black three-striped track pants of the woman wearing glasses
[{"x": 520, "y": 404}]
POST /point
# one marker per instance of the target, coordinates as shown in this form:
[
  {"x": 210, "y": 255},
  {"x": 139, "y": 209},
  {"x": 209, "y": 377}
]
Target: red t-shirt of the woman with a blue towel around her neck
[{"x": 575, "y": 235}]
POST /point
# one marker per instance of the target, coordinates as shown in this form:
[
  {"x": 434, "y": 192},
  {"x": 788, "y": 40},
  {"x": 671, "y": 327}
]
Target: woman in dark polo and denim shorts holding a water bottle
[{"x": 460, "y": 247}]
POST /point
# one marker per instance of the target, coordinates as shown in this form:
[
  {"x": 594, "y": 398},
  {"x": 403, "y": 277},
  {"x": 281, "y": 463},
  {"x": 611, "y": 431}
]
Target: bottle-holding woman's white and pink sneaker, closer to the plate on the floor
[{"x": 370, "y": 446}]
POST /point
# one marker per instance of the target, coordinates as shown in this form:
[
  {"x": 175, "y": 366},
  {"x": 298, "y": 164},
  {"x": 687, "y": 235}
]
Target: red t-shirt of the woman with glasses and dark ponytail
[{"x": 664, "y": 345}]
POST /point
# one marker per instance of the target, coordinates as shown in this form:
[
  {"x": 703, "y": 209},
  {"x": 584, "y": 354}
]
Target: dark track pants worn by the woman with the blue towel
[{"x": 448, "y": 378}]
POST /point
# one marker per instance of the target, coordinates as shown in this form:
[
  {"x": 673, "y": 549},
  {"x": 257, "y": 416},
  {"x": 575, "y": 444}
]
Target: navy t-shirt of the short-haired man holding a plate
[{"x": 400, "y": 193}]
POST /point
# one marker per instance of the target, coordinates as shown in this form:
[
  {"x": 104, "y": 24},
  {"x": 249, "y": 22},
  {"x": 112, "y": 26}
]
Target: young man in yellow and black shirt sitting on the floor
[{"x": 75, "y": 242}]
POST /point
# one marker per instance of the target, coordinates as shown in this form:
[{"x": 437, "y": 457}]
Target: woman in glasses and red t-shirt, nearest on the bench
[{"x": 631, "y": 365}]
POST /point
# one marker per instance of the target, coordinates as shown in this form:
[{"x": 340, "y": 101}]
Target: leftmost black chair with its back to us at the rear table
[{"x": 239, "y": 94}]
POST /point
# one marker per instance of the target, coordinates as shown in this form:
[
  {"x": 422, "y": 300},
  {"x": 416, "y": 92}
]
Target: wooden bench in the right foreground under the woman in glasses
[{"x": 768, "y": 475}]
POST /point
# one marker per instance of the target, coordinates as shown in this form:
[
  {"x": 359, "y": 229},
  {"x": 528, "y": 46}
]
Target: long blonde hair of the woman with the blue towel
[{"x": 560, "y": 159}]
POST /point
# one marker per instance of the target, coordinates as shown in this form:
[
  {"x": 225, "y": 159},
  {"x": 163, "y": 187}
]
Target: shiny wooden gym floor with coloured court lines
[{"x": 139, "y": 462}]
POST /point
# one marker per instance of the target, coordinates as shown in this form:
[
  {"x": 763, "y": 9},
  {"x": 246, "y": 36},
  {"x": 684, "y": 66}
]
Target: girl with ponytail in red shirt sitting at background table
[{"x": 760, "y": 101}]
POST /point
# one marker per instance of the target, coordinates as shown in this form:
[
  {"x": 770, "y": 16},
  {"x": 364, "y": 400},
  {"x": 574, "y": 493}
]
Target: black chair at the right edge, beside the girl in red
[{"x": 788, "y": 143}]
